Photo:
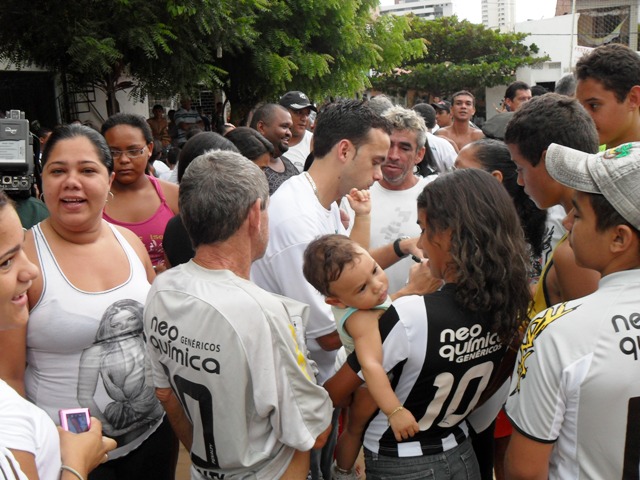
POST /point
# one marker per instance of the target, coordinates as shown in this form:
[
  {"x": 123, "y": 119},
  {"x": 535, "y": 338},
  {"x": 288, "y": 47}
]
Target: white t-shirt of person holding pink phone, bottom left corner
[{"x": 23, "y": 426}]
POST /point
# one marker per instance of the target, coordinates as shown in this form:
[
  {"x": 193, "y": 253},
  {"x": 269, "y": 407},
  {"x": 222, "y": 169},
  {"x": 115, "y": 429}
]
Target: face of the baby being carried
[{"x": 362, "y": 284}]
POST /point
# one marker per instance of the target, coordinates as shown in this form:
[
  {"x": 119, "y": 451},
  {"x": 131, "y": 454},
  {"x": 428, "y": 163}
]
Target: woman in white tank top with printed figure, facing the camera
[{"x": 87, "y": 266}]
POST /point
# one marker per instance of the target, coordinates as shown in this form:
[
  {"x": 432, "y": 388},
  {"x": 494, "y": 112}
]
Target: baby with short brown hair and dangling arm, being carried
[{"x": 356, "y": 287}]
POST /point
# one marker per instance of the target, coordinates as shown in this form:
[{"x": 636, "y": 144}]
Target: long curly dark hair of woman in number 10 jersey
[{"x": 487, "y": 245}]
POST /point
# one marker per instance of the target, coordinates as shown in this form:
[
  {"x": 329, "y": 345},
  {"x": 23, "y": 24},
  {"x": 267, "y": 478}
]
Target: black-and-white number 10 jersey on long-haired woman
[{"x": 441, "y": 358}]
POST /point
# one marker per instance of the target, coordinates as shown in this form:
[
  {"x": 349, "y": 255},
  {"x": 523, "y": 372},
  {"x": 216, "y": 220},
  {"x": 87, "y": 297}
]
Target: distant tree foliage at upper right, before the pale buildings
[{"x": 460, "y": 56}]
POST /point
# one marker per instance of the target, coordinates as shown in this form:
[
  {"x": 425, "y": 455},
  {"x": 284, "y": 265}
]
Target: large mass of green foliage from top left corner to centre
[{"x": 254, "y": 50}]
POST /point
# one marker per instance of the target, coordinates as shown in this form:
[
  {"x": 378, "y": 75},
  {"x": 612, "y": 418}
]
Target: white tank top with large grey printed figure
[{"x": 86, "y": 349}]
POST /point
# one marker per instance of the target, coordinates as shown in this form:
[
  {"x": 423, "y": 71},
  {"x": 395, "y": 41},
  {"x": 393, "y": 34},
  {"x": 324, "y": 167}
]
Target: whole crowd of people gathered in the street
[{"x": 449, "y": 301}]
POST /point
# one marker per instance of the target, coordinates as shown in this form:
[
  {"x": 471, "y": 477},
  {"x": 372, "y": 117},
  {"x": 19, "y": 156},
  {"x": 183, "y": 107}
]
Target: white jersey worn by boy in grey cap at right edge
[{"x": 577, "y": 382}]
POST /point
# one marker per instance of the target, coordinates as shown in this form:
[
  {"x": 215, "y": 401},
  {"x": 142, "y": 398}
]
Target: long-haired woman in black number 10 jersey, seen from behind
[{"x": 445, "y": 348}]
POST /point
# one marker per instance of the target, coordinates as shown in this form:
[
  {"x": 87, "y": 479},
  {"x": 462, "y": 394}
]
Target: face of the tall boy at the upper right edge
[{"x": 614, "y": 120}]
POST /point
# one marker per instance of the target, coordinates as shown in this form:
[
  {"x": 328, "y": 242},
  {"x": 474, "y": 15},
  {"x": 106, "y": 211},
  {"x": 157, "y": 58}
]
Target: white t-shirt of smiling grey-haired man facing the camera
[{"x": 394, "y": 213}]
